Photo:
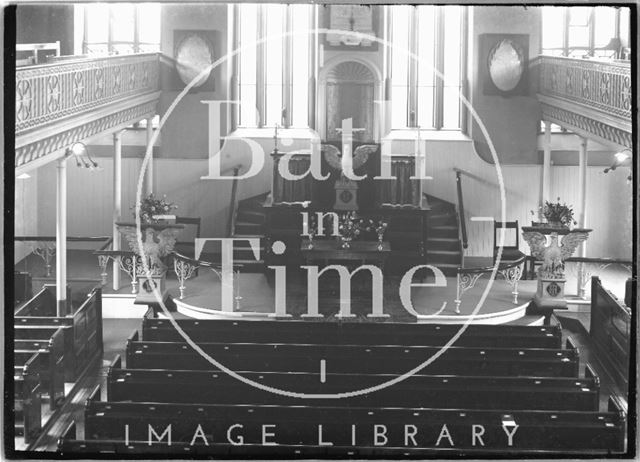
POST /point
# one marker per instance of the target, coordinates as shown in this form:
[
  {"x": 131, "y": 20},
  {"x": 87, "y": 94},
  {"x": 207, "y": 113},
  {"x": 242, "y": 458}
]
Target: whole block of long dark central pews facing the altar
[{"x": 494, "y": 382}]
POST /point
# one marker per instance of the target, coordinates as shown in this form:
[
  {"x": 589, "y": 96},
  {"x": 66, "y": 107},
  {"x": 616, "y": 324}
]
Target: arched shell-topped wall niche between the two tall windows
[{"x": 349, "y": 86}]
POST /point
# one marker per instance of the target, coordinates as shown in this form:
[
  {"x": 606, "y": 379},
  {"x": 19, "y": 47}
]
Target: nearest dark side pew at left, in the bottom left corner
[{"x": 27, "y": 401}]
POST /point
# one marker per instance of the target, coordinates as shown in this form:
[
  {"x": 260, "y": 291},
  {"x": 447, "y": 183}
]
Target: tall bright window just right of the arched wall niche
[{"x": 418, "y": 96}]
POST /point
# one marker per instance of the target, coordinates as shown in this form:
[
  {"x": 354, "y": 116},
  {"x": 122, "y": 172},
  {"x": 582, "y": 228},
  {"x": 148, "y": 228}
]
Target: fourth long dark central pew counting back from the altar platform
[{"x": 298, "y": 425}]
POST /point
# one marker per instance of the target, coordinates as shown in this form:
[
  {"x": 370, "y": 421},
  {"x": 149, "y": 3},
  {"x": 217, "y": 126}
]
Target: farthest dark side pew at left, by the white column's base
[{"x": 82, "y": 329}]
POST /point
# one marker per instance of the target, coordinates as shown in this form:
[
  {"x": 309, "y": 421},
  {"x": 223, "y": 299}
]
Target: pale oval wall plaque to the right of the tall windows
[{"x": 506, "y": 65}]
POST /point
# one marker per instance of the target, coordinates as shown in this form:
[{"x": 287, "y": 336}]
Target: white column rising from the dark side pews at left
[{"x": 61, "y": 238}]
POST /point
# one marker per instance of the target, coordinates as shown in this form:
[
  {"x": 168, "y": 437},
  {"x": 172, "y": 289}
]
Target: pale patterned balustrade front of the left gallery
[{"x": 50, "y": 92}]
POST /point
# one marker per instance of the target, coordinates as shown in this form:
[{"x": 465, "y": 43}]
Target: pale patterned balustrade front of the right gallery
[{"x": 605, "y": 86}]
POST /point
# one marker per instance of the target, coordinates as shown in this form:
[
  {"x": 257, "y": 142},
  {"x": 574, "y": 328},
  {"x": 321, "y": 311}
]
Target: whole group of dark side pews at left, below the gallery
[{"x": 50, "y": 350}]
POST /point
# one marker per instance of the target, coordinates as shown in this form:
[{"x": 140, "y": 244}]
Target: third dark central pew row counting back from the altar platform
[{"x": 488, "y": 392}]
